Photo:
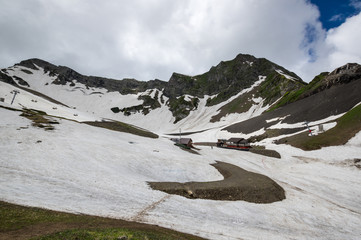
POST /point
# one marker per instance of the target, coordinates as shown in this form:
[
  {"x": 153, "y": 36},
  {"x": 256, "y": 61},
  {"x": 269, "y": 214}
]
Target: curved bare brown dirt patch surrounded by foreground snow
[{"x": 238, "y": 184}]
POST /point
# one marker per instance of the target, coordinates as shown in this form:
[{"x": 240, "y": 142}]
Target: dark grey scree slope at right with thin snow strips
[{"x": 326, "y": 98}]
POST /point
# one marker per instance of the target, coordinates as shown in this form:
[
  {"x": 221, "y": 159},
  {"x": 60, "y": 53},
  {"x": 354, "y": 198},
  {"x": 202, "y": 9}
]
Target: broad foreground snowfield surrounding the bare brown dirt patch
[{"x": 84, "y": 169}]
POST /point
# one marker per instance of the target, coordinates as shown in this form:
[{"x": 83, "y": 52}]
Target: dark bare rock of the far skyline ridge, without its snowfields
[{"x": 222, "y": 82}]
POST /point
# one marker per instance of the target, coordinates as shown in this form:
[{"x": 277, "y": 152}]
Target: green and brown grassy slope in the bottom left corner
[{"x": 18, "y": 222}]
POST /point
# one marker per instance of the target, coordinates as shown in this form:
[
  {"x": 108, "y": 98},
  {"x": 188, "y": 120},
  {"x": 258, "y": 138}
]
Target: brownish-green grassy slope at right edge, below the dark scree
[{"x": 347, "y": 126}]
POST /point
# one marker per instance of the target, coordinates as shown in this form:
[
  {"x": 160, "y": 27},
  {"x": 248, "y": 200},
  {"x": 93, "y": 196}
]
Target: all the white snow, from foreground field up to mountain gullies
[{"x": 83, "y": 169}]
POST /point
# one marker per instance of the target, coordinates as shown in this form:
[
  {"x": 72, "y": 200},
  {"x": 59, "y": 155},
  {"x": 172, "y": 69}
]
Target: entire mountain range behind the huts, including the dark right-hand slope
[{"x": 246, "y": 96}]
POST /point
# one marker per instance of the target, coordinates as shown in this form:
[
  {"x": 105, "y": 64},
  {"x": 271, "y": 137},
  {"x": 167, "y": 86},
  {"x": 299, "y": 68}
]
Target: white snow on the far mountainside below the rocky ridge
[{"x": 97, "y": 102}]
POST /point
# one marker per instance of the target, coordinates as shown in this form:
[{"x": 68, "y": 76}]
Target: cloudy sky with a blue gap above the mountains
[{"x": 148, "y": 39}]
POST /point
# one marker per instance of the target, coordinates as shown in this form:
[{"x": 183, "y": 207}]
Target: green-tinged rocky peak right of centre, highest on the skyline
[{"x": 227, "y": 79}]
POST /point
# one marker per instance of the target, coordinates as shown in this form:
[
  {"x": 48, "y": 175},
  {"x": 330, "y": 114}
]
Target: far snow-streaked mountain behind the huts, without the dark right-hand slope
[{"x": 184, "y": 101}]
